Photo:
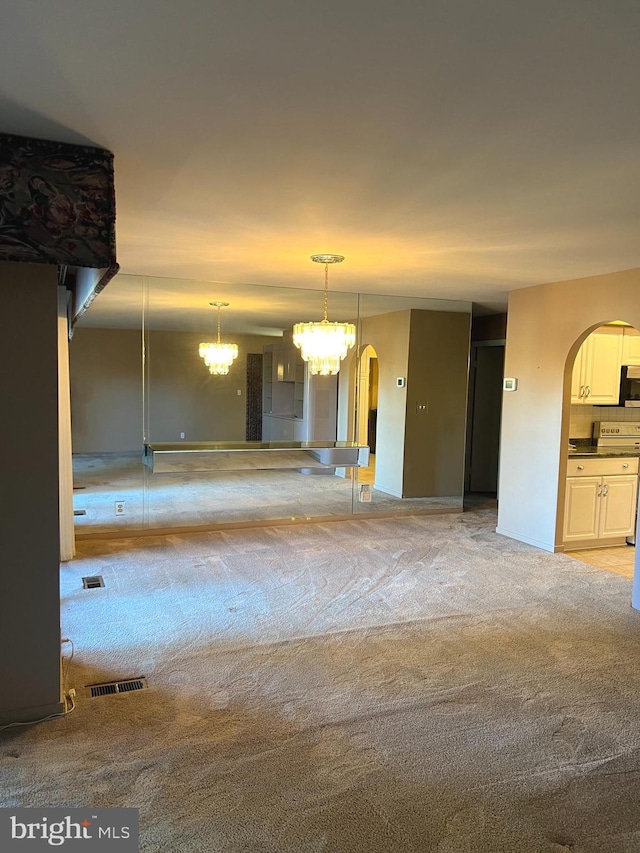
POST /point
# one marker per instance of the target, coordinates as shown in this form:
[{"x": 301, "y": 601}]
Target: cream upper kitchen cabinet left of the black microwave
[{"x": 596, "y": 371}]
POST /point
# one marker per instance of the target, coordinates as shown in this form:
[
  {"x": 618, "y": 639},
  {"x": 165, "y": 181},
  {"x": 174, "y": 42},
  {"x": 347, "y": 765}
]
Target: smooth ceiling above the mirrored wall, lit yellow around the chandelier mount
[{"x": 448, "y": 148}]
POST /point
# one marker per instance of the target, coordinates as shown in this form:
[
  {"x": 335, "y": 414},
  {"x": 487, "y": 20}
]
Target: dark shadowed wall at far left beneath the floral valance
[{"x": 30, "y": 597}]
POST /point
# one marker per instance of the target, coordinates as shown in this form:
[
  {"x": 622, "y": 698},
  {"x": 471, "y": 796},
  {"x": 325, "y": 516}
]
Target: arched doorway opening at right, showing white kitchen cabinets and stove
[{"x": 599, "y": 505}]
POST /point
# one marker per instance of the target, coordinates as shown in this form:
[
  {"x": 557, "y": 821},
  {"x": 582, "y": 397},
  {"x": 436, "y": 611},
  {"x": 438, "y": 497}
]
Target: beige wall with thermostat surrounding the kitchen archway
[{"x": 546, "y": 325}]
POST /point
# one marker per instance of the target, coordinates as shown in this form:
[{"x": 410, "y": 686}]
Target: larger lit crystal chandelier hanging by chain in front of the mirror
[{"x": 323, "y": 345}]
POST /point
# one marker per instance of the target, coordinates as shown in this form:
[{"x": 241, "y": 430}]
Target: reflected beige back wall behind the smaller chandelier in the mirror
[{"x": 181, "y": 395}]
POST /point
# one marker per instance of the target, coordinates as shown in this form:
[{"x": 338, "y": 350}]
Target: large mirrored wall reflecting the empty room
[{"x": 162, "y": 442}]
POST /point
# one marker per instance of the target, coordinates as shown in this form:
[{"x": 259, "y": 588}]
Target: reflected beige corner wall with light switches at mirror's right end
[{"x": 420, "y": 455}]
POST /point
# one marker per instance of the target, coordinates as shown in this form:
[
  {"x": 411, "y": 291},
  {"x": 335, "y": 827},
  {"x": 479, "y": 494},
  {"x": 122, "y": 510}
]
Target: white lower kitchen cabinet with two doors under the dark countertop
[{"x": 600, "y": 500}]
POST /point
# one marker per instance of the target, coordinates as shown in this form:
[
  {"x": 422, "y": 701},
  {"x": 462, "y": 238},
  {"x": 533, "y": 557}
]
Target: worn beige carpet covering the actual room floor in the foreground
[{"x": 370, "y": 686}]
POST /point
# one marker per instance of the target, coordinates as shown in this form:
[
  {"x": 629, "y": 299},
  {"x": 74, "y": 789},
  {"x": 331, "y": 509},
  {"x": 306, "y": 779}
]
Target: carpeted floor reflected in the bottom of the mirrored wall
[{"x": 190, "y": 499}]
